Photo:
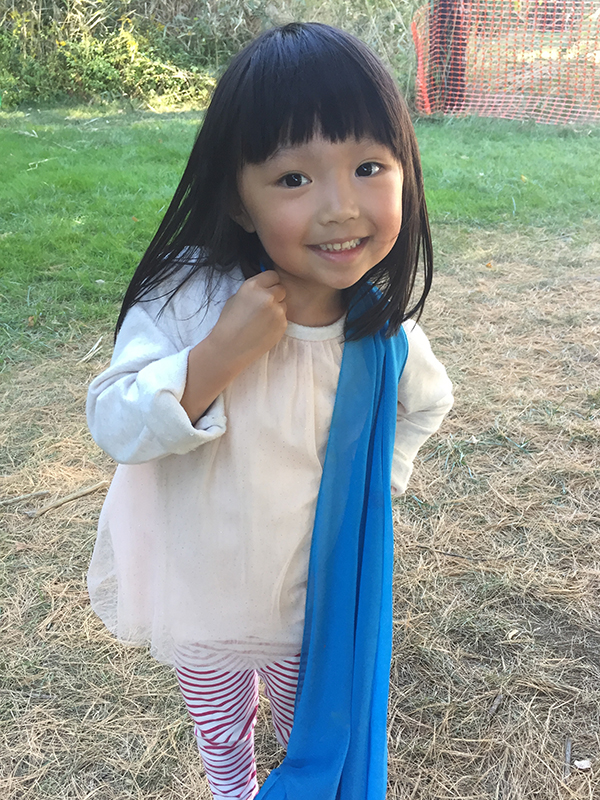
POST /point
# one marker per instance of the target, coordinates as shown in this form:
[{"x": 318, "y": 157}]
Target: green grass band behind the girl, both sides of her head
[{"x": 83, "y": 190}]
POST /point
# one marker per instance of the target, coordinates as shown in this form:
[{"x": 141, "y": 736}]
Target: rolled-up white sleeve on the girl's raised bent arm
[{"x": 133, "y": 407}]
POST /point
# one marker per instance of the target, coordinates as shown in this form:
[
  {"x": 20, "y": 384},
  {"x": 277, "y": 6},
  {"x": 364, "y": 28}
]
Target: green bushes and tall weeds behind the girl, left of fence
[{"x": 52, "y": 50}]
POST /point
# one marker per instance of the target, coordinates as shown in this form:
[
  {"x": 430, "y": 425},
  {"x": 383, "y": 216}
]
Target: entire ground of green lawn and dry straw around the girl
[{"x": 496, "y": 667}]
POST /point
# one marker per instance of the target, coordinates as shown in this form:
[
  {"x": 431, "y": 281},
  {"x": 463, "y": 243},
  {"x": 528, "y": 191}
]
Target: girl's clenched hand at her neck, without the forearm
[{"x": 253, "y": 320}]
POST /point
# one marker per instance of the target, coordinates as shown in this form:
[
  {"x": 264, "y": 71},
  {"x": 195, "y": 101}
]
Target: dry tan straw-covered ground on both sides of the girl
[{"x": 497, "y": 648}]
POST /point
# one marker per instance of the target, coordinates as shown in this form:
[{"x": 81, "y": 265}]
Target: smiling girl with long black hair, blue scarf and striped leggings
[{"x": 263, "y": 358}]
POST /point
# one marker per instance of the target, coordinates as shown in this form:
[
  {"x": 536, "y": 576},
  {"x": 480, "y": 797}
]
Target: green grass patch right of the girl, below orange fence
[{"x": 486, "y": 172}]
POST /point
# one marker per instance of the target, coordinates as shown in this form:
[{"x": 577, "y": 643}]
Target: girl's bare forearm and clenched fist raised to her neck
[{"x": 251, "y": 323}]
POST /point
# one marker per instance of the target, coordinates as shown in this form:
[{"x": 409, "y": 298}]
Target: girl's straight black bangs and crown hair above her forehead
[{"x": 309, "y": 81}]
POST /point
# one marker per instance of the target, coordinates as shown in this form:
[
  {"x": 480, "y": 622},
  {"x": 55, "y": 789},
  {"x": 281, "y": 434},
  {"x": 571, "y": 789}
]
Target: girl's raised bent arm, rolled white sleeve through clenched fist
[{"x": 161, "y": 394}]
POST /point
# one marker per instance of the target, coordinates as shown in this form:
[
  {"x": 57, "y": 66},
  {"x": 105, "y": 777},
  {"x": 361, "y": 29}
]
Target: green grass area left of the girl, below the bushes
[{"x": 79, "y": 201}]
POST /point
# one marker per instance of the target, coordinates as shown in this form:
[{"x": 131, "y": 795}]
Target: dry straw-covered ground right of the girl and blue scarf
[{"x": 498, "y": 632}]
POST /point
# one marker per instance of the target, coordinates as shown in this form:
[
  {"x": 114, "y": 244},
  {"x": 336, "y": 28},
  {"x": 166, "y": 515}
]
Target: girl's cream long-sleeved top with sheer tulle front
[{"x": 204, "y": 537}]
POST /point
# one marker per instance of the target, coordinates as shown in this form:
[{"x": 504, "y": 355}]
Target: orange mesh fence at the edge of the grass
[{"x": 516, "y": 59}]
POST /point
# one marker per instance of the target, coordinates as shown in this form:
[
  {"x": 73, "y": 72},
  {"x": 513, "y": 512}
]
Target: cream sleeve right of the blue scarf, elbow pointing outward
[{"x": 424, "y": 399}]
